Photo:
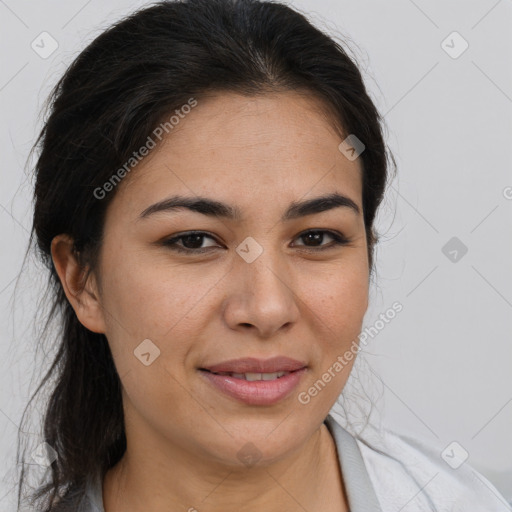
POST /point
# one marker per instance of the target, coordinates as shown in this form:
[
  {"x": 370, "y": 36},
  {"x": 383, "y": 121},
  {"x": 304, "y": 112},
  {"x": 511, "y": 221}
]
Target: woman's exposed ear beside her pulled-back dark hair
[{"x": 83, "y": 296}]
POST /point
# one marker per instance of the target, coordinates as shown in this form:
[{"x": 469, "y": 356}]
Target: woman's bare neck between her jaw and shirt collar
[{"x": 148, "y": 478}]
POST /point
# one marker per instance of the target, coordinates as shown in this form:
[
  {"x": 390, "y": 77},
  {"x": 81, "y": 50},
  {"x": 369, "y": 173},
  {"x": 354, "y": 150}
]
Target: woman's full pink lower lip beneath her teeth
[{"x": 260, "y": 392}]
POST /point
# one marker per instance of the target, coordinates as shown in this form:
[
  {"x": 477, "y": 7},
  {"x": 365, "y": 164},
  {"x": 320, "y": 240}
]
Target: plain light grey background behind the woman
[{"x": 445, "y": 361}]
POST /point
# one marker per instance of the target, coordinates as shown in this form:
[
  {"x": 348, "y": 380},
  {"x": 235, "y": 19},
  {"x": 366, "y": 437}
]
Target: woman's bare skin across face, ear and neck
[{"x": 259, "y": 153}]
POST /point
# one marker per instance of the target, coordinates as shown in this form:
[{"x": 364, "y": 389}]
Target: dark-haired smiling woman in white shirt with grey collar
[{"x": 206, "y": 189}]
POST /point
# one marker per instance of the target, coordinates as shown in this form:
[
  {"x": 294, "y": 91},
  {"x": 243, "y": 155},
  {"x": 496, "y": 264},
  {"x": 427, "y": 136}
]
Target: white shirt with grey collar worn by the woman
[{"x": 390, "y": 473}]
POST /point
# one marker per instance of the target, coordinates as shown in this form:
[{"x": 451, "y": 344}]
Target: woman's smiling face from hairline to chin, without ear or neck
[{"x": 251, "y": 286}]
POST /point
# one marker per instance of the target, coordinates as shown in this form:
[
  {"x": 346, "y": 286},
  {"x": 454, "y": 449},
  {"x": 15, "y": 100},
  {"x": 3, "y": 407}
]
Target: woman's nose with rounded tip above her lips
[{"x": 262, "y": 296}]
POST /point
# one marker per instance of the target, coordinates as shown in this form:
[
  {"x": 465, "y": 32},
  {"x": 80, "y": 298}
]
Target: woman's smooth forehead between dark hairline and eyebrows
[{"x": 259, "y": 147}]
